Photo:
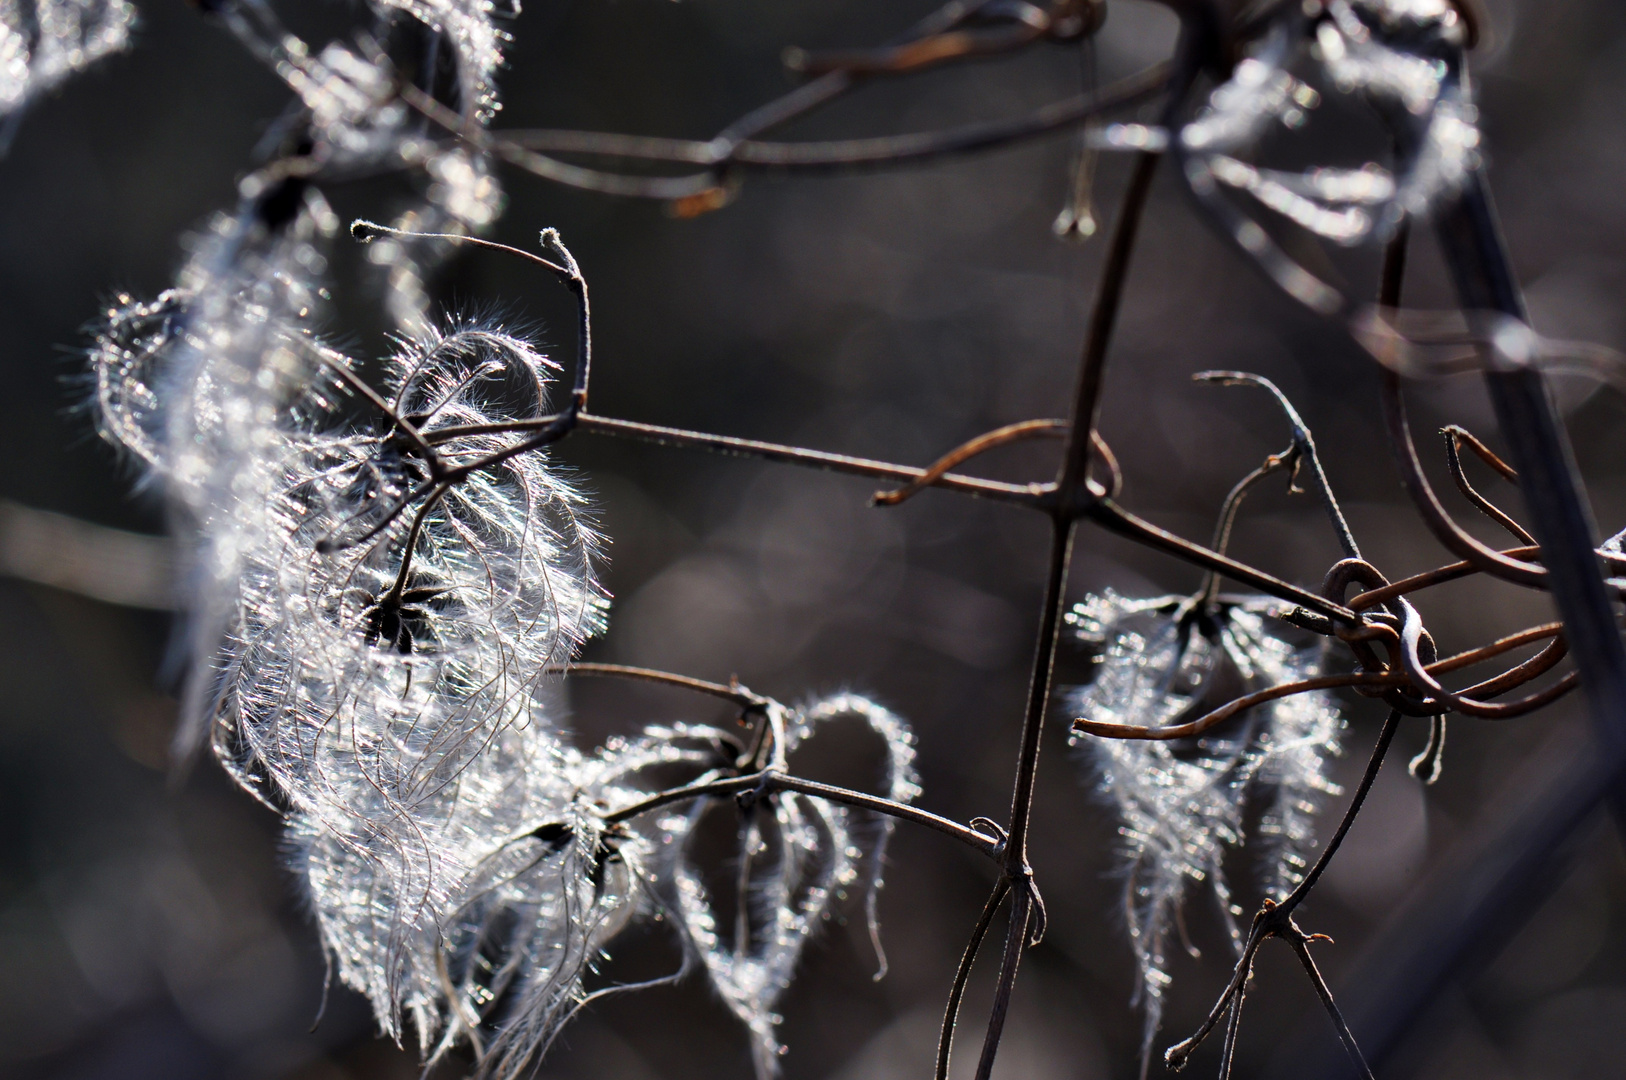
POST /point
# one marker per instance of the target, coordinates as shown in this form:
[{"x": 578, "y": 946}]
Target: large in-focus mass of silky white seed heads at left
[{"x": 393, "y": 703}]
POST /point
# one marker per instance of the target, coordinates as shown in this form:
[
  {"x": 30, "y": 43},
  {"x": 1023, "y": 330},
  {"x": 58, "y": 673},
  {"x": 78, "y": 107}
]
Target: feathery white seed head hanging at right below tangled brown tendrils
[{"x": 1183, "y": 804}]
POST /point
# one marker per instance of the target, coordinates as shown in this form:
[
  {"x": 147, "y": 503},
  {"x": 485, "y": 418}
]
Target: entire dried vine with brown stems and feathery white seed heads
[{"x": 388, "y": 573}]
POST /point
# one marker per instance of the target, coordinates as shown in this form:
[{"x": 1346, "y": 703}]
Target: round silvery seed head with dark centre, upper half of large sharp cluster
[{"x": 396, "y": 658}]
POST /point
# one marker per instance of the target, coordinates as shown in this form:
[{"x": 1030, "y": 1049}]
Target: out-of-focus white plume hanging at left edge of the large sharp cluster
[{"x": 202, "y": 386}]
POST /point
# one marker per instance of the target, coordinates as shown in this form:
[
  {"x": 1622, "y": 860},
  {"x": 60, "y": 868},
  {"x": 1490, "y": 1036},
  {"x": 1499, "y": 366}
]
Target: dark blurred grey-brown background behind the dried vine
[{"x": 147, "y": 926}]
